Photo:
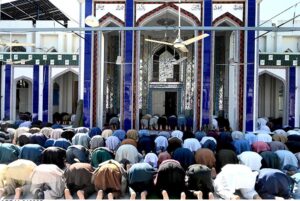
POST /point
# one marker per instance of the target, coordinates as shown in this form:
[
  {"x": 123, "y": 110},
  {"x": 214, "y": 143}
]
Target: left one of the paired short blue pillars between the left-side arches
[{"x": 35, "y": 92}]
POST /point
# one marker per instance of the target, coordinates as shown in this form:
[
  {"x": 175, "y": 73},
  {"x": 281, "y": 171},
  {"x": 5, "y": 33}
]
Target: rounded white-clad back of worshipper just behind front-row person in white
[{"x": 250, "y": 159}]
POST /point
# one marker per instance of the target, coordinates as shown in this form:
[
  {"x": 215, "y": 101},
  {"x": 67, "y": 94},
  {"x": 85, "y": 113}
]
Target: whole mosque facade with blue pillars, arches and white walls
[{"x": 225, "y": 74}]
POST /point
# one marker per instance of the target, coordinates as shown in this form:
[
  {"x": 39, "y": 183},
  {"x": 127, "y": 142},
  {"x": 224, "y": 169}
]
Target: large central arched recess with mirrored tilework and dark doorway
[{"x": 167, "y": 76}]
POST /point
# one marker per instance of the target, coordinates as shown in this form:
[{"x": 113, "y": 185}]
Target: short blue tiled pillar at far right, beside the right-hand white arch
[{"x": 292, "y": 95}]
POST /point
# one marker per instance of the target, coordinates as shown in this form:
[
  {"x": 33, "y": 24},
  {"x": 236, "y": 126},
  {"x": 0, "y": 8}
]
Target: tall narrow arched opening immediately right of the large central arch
[{"x": 226, "y": 74}]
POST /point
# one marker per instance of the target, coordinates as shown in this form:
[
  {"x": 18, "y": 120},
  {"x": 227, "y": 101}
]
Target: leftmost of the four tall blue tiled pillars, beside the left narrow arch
[{"x": 87, "y": 103}]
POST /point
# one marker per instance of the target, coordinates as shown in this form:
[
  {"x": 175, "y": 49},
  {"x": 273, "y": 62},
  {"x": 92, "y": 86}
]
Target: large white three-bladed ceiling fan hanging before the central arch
[{"x": 179, "y": 43}]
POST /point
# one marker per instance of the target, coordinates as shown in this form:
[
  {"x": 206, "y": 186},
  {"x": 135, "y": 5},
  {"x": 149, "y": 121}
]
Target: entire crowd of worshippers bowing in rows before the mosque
[{"x": 56, "y": 163}]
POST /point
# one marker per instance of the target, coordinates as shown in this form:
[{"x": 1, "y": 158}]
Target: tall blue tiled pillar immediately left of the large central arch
[{"x": 128, "y": 99}]
